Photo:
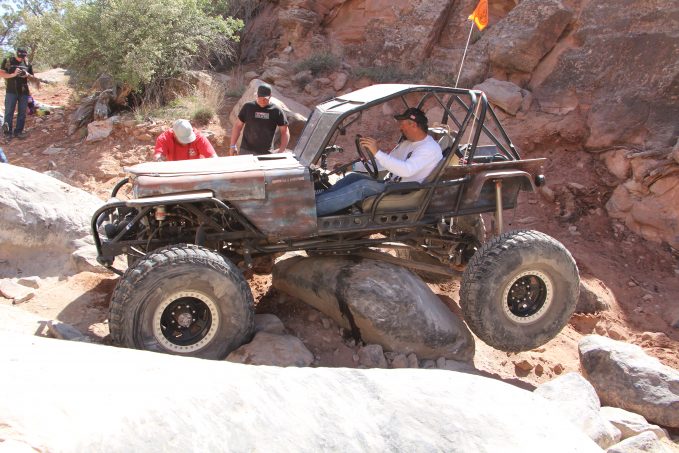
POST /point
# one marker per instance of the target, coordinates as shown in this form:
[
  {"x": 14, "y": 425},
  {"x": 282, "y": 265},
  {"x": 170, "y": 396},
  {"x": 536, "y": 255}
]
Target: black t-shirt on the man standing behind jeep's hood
[{"x": 260, "y": 126}]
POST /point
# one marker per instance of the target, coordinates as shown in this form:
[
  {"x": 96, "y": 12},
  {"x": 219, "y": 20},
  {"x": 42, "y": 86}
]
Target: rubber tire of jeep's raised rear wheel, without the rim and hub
[{"x": 486, "y": 266}]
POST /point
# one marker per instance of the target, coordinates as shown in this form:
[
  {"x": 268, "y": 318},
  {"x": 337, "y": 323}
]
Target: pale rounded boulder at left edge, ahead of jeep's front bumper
[{"x": 44, "y": 222}]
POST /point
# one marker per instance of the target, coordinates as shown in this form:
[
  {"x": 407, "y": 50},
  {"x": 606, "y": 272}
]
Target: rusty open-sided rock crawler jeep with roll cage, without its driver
[{"x": 188, "y": 224}]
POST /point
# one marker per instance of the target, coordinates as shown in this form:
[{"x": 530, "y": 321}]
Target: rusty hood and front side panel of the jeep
[{"x": 274, "y": 192}]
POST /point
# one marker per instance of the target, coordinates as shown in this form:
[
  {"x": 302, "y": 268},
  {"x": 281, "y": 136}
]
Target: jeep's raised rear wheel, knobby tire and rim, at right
[{"x": 519, "y": 290}]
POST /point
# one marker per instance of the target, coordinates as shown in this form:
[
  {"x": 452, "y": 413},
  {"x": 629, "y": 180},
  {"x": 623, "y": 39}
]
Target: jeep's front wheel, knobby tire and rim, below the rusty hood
[{"x": 185, "y": 300}]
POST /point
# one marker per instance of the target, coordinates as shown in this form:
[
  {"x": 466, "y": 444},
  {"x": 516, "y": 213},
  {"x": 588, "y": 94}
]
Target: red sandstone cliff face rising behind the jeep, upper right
[{"x": 581, "y": 61}]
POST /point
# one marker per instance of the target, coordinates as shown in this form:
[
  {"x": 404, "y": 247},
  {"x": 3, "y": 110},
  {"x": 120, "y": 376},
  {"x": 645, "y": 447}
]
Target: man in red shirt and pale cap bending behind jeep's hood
[{"x": 182, "y": 142}]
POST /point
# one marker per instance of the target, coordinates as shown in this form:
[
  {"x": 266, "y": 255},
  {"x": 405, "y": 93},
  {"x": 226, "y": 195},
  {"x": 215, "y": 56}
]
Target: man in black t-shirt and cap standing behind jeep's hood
[{"x": 258, "y": 121}]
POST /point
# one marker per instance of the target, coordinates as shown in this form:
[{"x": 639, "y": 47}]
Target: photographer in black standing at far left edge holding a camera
[{"x": 17, "y": 71}]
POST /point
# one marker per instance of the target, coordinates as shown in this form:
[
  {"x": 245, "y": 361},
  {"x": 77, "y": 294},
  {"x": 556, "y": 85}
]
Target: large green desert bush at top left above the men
[{"x": 135, "y": 42}]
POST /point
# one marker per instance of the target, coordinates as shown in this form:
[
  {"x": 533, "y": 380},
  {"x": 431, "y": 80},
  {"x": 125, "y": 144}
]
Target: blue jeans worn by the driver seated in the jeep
[{"x": 351, "y": 189}]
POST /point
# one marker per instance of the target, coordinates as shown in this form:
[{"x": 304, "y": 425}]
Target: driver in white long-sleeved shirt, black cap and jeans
[{"x": 411, "y": 160}]
